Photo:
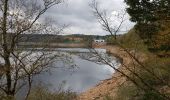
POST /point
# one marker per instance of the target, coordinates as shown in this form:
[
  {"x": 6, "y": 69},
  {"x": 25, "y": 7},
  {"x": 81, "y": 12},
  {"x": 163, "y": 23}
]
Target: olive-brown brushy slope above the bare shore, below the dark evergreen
[{"x": 160, "y": 66}]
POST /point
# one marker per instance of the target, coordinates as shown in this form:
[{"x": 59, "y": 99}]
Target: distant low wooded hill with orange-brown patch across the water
[{"x": 52, "y": 38}]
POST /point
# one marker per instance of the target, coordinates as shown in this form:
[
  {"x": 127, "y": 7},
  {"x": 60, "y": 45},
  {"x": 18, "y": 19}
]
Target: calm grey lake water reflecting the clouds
[{"x": 77, "y": 76}]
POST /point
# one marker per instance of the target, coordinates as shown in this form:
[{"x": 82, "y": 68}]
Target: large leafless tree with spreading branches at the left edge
[{"x": 18, "y": 17}]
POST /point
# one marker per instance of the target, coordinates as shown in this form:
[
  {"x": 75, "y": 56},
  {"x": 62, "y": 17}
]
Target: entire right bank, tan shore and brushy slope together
[{"x": 119, "y": 87}]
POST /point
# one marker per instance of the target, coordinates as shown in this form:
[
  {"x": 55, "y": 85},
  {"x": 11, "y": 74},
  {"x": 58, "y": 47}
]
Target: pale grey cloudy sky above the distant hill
[{"x": 78, "y": 15}]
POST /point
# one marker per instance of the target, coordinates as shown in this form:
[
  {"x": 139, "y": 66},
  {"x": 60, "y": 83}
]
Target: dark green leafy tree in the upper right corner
[{"x": 151, "y": 17}]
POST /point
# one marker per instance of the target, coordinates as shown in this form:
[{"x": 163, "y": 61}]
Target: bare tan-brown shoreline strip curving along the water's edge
[{"x": 110, "y": 86}]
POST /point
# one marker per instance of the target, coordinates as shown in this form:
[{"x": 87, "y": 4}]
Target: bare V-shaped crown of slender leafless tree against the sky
[{"x": 106, "y": 21}]
